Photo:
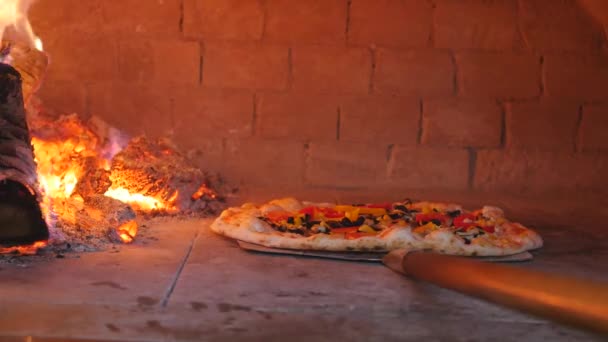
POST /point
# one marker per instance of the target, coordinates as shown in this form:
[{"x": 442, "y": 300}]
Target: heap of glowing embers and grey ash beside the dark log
[{"x": 88, "y": 163}]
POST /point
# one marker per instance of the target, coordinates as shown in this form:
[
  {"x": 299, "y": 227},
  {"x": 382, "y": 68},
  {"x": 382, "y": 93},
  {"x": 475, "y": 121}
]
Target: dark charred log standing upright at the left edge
[{"x": 21, "y": 219}]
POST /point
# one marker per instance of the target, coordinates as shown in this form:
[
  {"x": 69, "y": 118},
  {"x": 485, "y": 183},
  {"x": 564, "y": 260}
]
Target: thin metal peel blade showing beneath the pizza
[{"x": 362, "y": 256}]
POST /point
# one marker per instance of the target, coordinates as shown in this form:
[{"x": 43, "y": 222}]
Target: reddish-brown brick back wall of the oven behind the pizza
[{"x": 459, "y": 95}]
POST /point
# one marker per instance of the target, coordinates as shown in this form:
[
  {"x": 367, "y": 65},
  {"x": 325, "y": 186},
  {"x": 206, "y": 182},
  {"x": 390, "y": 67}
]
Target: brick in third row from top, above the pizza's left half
[{"x": 297, "y": 117}]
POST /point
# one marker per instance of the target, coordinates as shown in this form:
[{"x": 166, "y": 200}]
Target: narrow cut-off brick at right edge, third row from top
[{"x": 594, "y": 127}]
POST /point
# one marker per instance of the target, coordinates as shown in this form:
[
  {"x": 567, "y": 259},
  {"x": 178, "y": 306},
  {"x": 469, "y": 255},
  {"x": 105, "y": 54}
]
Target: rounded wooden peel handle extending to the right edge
[{"x": 572, "y": 301}]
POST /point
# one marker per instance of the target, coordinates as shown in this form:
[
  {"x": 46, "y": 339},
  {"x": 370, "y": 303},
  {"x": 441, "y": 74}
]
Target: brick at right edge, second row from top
[{"x": 581, "y": 77}]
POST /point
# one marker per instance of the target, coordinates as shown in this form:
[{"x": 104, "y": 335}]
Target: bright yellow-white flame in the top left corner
[{"x": 13, "y": 14}]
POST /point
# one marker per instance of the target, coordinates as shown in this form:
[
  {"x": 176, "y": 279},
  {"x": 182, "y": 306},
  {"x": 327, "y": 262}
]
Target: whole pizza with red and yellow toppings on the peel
[{"x": 440, "y": 227}]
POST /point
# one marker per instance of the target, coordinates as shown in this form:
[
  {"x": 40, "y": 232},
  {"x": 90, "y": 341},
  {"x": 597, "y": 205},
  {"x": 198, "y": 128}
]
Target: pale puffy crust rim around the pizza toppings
[{"x": 243, "y": 224}]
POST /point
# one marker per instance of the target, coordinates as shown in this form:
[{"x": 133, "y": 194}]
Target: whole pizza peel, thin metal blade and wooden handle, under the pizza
[{"x": 573, "y": 301}]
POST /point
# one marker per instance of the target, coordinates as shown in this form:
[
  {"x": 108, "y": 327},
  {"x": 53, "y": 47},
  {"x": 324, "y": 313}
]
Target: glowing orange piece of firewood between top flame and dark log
[{"x": 30, "y": 62}]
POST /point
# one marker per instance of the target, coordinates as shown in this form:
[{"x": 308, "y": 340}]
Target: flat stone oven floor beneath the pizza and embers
[{"x": 182, "y": 282}]
